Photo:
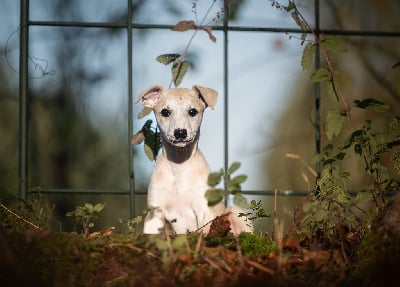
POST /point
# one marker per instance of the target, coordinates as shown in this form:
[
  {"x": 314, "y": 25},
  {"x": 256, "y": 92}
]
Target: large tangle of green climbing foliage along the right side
[{"x": 331, "y": 205}]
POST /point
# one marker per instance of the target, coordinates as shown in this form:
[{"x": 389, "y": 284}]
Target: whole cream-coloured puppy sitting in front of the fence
[{"x": 179, "y": 181}]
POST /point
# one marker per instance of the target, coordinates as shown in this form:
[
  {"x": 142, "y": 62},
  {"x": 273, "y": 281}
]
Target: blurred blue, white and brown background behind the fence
[{"x": 79, "y": 101}]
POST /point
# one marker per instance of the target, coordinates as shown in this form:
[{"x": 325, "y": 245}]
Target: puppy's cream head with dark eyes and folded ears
[{"x": 179, "y": 111}]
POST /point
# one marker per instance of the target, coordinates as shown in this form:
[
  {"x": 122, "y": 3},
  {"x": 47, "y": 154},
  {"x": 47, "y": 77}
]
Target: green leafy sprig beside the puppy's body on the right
[{"x": 232, "y": 186}]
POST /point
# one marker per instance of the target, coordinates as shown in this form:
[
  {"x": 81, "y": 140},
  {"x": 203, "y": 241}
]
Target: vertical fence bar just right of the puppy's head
[{"x": 226, "y": 92}]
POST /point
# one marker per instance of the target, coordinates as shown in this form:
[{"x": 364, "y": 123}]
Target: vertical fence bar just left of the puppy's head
[{"x": 130, "y": 113}]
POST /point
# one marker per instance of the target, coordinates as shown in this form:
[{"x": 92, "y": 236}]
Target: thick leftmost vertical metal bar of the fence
[{"x": 23, "y": 100}]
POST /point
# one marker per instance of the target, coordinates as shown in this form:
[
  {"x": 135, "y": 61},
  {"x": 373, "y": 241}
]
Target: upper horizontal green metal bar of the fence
[{"x": 218, "y": 28}]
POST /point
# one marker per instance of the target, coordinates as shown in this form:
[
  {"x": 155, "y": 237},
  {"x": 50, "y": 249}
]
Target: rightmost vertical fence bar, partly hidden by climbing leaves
[{"x": 317, "y": 89}]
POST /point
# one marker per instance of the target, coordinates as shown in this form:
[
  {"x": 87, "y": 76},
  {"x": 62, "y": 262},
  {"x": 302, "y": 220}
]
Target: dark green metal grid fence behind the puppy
[{"x": 25, "y": 23}]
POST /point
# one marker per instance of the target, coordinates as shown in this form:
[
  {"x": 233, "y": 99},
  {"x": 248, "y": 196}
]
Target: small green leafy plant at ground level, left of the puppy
[{"x": 84, "y": 214}]
